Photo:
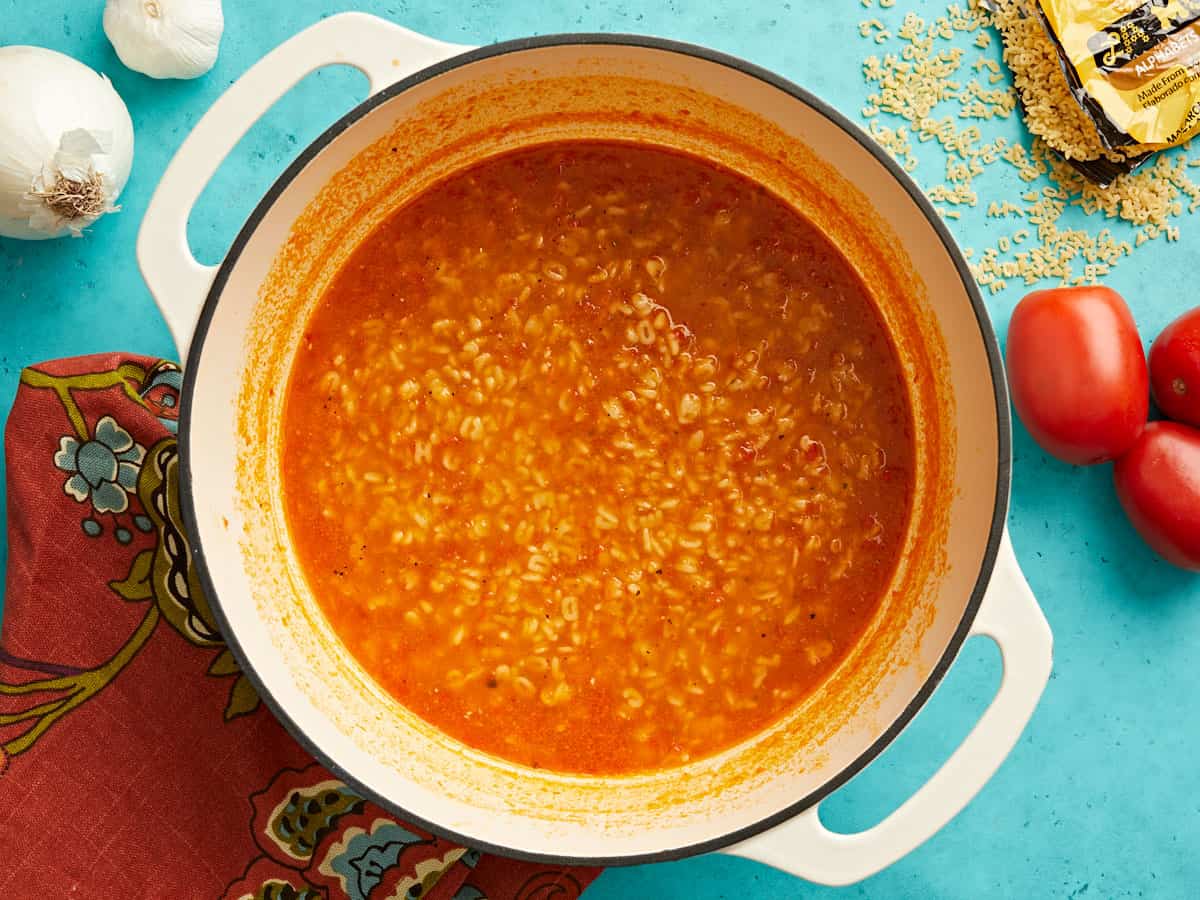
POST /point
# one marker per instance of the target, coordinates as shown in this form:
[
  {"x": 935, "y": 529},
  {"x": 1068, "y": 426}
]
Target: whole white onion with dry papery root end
[{"x": 67, "y": 145}]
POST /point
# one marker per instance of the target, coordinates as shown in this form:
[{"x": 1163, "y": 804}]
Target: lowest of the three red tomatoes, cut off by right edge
[{"x": 1159, "y": 483}]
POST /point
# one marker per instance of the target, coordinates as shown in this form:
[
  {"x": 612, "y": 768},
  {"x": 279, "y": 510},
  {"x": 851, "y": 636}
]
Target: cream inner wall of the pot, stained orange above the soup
[{"x": 410, "y": 142}]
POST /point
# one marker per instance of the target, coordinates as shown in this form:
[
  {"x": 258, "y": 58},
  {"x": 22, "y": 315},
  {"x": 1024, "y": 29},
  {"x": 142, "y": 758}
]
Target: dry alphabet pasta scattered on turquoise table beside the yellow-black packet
[{"x": 929, "y": 87}]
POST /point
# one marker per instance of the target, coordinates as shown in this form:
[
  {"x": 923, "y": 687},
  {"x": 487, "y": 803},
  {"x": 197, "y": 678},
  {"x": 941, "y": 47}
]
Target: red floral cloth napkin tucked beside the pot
[{"x": 136, "y": 760}]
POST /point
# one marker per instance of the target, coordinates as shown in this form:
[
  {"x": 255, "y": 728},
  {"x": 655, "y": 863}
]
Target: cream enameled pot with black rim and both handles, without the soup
[{"x": 436, "y": 107}]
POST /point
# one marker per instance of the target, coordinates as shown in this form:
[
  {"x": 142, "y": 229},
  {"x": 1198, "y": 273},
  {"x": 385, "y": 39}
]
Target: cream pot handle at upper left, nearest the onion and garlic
[{"x": 382, "y": 51}]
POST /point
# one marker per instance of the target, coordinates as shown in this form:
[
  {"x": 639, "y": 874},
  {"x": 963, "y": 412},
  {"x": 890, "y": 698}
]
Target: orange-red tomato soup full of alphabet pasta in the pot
[{"x": 598, "y": 458}]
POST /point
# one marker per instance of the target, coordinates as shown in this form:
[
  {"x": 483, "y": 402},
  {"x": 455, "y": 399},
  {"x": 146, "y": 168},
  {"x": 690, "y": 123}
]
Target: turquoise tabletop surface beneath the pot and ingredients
[{"x": 1101, "y": 799}]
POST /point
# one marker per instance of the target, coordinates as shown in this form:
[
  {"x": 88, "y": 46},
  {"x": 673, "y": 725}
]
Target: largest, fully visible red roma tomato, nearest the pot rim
[{"x": 1078, "y": 374}]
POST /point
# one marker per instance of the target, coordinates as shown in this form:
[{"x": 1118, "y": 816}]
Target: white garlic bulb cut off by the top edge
[{"x": 166, "y": 39}]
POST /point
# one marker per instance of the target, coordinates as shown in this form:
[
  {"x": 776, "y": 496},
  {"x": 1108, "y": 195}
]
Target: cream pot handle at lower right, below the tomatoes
[{"x": 1011, "y": 617}]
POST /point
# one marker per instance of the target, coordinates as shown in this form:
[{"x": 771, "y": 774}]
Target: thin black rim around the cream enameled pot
[{"x": 1004, "y": 457}]
